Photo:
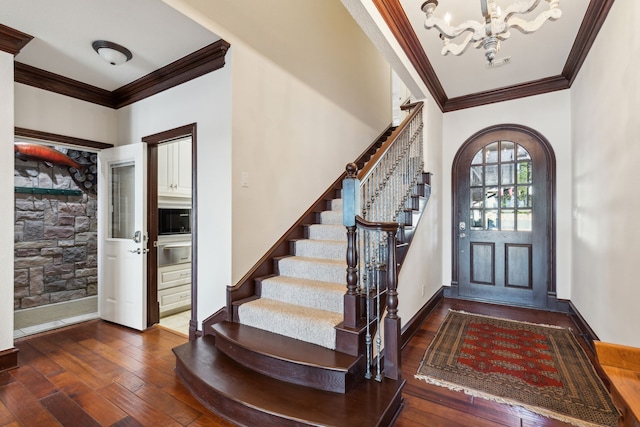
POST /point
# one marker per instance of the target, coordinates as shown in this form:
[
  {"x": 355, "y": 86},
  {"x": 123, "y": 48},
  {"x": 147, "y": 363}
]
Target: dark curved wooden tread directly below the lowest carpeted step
[{"x": 282, "y": 347}]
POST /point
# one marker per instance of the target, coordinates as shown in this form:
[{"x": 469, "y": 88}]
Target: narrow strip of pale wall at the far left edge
[{"x": 6, "y": 194}]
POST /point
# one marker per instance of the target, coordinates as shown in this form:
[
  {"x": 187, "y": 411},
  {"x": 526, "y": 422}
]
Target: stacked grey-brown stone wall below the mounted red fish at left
[{"x": 55, "y": 238}]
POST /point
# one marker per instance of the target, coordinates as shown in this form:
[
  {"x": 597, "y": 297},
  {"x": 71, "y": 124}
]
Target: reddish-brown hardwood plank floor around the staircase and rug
[{"x": 97, "y": 373}]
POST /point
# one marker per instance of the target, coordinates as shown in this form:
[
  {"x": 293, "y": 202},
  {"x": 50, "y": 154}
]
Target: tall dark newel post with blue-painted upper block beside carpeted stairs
[{"x": 351, "y": 208}]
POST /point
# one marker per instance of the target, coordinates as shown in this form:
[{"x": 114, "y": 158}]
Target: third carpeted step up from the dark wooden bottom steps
[{"x": 321, "y": 269}]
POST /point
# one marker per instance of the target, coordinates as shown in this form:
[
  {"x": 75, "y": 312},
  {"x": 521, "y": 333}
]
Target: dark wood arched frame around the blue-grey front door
[{"x": 550, "y": 182}]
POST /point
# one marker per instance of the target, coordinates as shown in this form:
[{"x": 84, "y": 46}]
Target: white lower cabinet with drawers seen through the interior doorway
[{"x": 174, "y": 288}]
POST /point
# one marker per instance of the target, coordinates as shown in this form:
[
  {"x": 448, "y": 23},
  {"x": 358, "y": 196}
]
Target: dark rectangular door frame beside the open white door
[{"x": 153, "y": 308}]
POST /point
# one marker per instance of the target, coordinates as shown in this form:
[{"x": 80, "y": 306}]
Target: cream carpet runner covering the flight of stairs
[{"x": 304, "y": 300}]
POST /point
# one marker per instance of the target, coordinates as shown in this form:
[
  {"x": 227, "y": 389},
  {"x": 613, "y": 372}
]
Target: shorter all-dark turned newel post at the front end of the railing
[{"x": 392, "y": 345}]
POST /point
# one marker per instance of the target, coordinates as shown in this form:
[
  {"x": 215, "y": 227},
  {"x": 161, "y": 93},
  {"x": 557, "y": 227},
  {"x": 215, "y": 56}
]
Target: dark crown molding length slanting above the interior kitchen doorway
[{"x": 199, "y": 63}]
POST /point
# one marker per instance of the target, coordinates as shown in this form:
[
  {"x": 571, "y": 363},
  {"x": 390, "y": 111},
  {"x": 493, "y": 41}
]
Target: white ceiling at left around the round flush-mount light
[{"x": 63, "y": 31}]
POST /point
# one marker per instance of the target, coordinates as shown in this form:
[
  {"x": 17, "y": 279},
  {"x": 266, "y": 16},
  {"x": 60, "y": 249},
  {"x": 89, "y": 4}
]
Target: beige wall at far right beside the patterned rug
[{"x": 605, "y": 102}]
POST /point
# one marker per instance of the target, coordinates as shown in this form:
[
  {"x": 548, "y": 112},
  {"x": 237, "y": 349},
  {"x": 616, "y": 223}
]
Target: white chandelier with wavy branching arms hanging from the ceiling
[{"x": 494, "y": 29}]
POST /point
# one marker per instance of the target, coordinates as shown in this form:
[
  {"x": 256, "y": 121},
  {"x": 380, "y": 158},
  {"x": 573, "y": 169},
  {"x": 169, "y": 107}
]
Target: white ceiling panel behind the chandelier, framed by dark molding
[{"x": 533, "y": 56}]
